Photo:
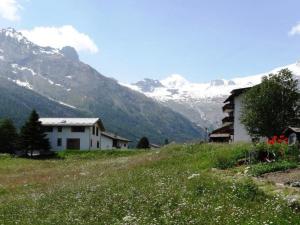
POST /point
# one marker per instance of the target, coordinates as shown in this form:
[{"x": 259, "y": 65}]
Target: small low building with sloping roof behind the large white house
[{"x": 113, "y": 141}]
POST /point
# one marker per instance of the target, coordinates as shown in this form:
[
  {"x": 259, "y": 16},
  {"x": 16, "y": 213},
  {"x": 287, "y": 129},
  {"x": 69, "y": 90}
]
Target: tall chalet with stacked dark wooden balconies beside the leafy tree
[{"x": 232, "y": 130}]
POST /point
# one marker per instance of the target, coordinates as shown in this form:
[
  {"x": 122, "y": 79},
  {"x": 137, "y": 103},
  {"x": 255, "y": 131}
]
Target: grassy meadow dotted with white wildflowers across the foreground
[{"x": 176, "y": 185}]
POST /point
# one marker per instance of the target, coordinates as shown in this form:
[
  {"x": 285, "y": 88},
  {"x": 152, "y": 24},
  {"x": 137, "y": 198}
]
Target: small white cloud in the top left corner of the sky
[{"x": 9, "y": 10}]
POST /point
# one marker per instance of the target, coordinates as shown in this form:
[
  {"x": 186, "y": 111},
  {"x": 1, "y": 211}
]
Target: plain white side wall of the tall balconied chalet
[{"x": 240, "y": 132}]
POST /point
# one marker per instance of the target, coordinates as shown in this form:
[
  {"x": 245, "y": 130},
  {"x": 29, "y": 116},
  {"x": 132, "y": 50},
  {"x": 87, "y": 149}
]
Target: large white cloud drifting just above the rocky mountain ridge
[{"x": 58, "y": 37}]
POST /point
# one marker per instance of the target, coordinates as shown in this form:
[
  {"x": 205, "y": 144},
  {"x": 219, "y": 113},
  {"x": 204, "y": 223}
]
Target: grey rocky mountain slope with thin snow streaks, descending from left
[{"x": 59, "y": 76}]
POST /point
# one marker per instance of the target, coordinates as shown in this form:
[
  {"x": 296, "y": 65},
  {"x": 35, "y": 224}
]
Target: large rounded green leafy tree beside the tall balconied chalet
[{"x": 271, "y": 106}]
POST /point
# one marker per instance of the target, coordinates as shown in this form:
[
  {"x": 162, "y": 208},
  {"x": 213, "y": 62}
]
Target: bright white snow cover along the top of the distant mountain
[{"x": 176, "y": 87}]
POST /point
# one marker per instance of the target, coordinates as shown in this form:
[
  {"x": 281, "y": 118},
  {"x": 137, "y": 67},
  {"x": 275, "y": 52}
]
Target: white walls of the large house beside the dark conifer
[{"x": 85, "y": 138}]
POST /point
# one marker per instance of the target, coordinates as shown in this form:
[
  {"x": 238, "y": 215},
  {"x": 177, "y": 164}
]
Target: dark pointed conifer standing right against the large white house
[{"x": 32, "y": 136}]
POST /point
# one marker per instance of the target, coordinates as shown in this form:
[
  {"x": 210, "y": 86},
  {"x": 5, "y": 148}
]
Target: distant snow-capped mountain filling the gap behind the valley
[{"x": 199, "y": 102}]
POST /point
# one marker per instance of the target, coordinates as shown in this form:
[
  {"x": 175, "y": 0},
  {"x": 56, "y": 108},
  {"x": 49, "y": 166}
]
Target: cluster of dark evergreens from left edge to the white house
[{"x": 30, "y": 138}]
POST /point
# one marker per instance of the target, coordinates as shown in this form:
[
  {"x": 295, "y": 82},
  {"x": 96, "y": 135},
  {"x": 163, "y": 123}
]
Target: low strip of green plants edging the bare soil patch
[{"x": 263, "y": 168}]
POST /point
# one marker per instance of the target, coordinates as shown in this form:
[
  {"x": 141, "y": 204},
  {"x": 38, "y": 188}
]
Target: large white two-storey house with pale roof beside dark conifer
[{"x": 75, "y": 133}]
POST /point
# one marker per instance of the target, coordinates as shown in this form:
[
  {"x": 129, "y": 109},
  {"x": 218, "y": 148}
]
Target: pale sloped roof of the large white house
[{"x": 71, "y": 122}]
